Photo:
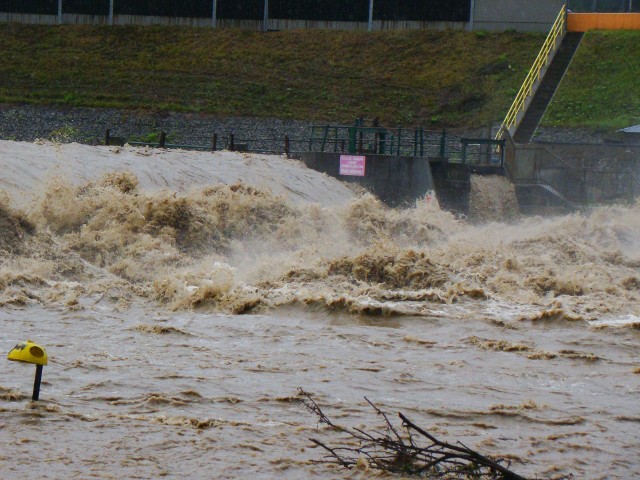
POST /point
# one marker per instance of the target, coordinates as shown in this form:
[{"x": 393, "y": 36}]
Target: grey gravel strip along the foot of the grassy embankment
[{"x": 88, "y": 125}]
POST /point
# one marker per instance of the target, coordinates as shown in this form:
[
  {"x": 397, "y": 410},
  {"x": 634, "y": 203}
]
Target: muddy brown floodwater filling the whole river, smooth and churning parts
[{"x": 184, "y": 298}]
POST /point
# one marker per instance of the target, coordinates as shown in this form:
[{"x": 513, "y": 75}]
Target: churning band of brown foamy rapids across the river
[{"x": 238, "y": 249}]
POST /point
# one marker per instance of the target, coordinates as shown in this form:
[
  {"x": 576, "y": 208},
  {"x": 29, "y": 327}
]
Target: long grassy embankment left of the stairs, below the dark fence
[{"x": 435, "y": 78}]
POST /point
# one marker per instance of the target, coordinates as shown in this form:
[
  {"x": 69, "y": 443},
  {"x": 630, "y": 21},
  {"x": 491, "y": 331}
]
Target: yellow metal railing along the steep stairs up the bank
[{"x": 526, "y": 90}]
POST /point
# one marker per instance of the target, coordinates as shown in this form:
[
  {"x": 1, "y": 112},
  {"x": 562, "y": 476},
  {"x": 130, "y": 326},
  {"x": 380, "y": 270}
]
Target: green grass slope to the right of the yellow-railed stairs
[{"x": 602, "y": 87}]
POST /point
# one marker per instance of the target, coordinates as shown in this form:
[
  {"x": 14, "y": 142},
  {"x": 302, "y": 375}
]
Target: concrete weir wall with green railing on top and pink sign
[{"x": 404, "y": 166}]
